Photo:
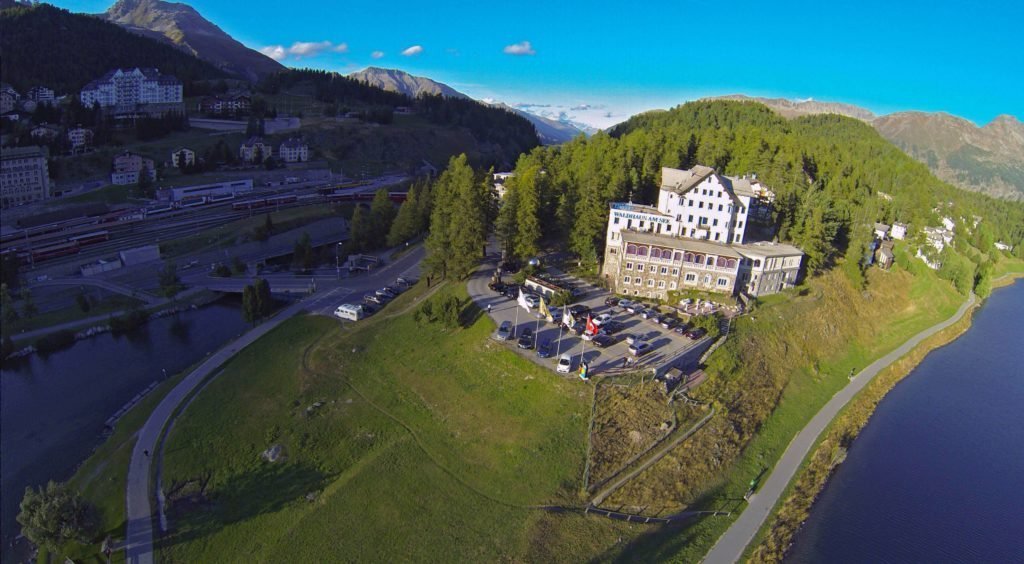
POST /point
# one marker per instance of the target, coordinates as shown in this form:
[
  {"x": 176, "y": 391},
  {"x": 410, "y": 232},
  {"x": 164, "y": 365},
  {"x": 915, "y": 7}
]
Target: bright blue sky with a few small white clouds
[{"x": 611, "y": 60}]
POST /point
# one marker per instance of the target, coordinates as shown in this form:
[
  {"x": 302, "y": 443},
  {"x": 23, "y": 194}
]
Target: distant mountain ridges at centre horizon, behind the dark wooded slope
[{"x": 549, "y": 132}]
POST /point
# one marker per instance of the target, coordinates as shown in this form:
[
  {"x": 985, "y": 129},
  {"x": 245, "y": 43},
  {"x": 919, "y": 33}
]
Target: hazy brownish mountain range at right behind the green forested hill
[{"x": 989, "y": 159}]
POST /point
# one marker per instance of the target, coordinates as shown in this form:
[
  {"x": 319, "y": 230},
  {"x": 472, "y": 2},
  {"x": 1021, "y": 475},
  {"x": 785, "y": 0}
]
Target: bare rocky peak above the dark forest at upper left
[{"x": 182, "y": 26}]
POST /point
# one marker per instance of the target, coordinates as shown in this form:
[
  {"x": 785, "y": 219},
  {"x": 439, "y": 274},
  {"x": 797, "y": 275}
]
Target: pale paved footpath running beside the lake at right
[{"x": 732, "y": 545}]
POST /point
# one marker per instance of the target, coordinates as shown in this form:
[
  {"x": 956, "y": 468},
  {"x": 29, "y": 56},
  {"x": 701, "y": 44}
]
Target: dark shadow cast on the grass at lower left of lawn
[{"x": 266, "y": 490}]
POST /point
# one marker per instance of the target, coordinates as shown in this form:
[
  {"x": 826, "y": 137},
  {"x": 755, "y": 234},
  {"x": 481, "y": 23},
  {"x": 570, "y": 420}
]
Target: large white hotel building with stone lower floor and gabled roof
[{"x": 695, "y": 239}]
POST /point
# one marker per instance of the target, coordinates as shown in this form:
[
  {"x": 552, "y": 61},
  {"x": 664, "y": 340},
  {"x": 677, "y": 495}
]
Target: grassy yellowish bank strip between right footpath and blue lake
[{"x": 776, "y": 537}]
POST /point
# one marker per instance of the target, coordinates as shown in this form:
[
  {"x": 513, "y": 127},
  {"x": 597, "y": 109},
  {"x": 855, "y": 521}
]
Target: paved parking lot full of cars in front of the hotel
[{"x": 666, "y": 344}]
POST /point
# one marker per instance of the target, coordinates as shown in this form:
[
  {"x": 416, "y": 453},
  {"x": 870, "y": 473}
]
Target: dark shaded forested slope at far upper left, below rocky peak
[{"x": 45, "y": 46}]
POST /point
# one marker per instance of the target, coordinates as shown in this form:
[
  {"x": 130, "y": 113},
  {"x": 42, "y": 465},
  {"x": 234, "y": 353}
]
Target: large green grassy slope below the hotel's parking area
[{"x": 428, "y": 446}]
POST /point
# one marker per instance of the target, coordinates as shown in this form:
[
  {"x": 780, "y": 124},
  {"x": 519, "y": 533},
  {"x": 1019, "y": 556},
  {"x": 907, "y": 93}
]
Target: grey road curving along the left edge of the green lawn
[{"x": 139, "y": 539}]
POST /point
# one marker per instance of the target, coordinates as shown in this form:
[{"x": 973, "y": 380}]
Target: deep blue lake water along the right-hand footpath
[{"x": 937, "y": 475}]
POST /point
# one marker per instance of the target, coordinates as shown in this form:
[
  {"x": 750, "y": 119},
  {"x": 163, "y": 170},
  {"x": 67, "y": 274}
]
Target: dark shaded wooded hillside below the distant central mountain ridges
[{"x": 500, "y": 135}]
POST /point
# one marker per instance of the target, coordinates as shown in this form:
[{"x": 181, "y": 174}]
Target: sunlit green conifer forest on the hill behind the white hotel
[{"x": 834, "y": 177}]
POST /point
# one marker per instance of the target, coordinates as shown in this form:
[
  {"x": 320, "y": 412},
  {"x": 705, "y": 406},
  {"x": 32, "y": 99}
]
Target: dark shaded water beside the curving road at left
[{"x": 53, "y": 409}]
